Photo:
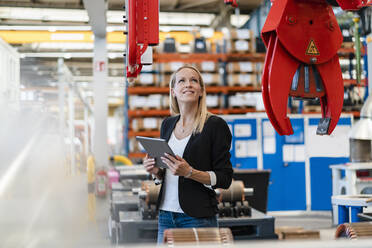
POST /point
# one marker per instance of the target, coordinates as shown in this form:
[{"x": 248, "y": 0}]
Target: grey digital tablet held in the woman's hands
[{"x": 156, "y": 148}]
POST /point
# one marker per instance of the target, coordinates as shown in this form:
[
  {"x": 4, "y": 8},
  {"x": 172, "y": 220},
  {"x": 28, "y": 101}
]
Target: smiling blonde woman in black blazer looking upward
[{"x": 201, "y": 143}]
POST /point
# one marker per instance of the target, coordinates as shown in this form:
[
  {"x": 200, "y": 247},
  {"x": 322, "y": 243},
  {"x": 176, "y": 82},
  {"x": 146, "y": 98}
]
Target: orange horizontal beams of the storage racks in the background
[{"x": 220, "y": 89}]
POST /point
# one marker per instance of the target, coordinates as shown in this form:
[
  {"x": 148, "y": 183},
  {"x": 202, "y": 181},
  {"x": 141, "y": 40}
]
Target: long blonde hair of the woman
[{"x": 202, "y": 113}]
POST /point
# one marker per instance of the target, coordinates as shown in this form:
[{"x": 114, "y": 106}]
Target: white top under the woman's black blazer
[{"x": 169, "y": 200}]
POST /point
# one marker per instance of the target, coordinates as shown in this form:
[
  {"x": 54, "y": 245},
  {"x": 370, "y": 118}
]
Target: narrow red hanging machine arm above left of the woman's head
[{"x": 142, "y": 22}]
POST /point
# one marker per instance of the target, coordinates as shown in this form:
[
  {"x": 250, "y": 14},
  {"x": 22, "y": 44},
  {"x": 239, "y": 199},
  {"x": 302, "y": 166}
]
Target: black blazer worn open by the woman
[{"x": 205, "y": 151}]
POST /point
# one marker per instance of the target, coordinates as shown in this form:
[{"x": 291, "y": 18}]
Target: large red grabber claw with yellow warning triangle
[{"x": 302, "y": 38}]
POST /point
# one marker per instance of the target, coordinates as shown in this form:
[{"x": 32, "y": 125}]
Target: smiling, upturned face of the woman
[{"x": 187, "y": 86}]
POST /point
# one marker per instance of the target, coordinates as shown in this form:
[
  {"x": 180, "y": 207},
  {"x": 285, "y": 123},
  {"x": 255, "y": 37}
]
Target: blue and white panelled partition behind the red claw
[{"x": 300, "y": 175}]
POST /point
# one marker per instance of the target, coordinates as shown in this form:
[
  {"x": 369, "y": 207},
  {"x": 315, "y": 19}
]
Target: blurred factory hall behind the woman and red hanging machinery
[{"x": 71, "y": 171}]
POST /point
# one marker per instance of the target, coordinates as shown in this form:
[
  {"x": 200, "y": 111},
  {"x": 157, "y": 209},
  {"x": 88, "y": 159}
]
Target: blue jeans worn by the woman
[{"x": 180, "y": 220}]
